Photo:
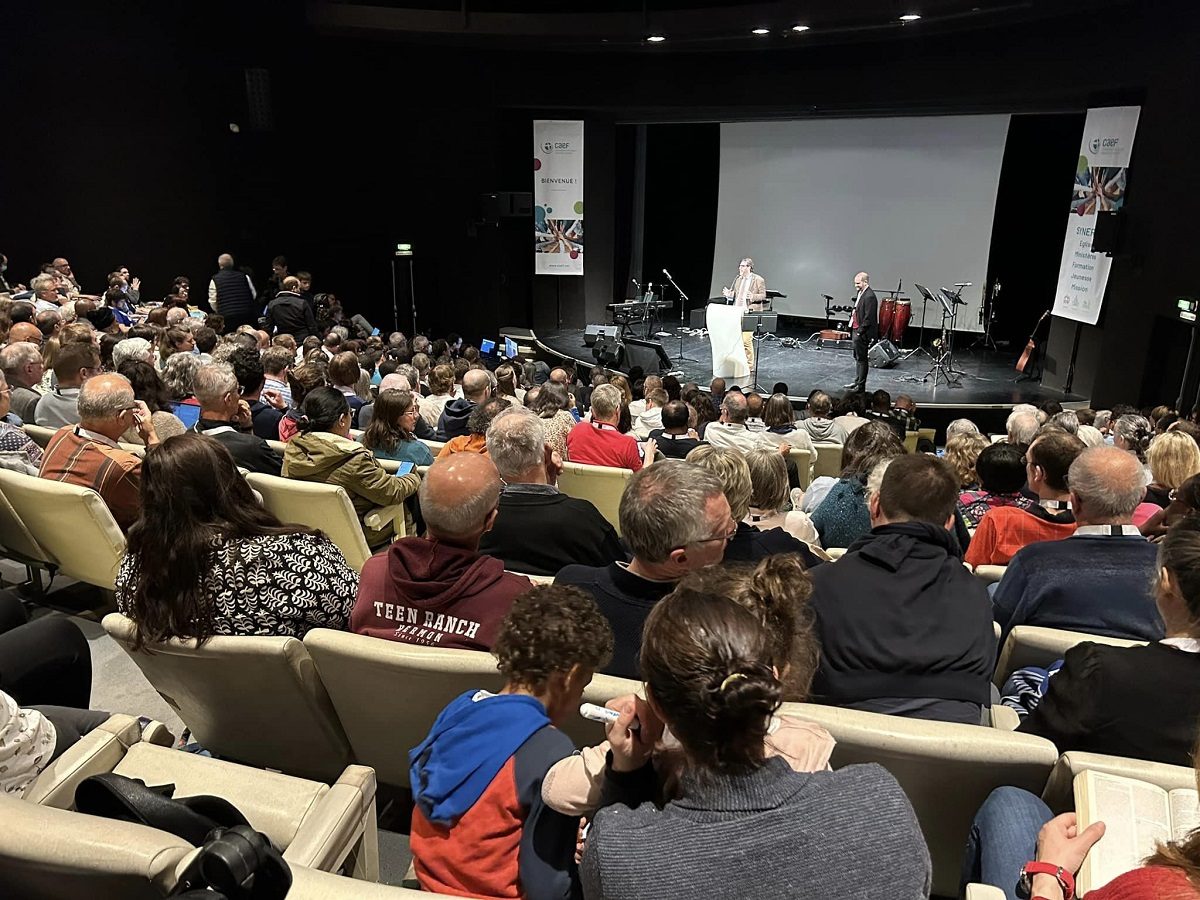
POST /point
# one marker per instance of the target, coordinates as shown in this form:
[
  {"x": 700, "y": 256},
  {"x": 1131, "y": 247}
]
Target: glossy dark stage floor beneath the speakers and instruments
[{"x": 988, "y": 381}]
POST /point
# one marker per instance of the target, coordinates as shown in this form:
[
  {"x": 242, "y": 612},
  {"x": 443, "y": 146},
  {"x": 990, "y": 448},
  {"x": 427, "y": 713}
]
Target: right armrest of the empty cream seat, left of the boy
[{"x": 341, "y": 829}]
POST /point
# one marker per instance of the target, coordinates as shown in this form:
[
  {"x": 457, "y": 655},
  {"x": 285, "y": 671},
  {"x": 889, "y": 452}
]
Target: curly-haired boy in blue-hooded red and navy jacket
[{"x": 479, "y": 824}]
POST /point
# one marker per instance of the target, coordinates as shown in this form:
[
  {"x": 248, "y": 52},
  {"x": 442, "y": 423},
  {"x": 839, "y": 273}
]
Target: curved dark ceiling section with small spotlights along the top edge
[{"x": 686, "y": 25}]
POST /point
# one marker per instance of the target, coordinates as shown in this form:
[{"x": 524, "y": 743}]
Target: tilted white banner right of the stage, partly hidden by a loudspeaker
[{"x": 1100, "y": 187}]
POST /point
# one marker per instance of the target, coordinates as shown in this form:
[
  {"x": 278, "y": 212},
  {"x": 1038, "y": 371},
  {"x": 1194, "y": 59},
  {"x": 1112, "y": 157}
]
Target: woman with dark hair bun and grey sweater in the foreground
[{"x": 745, "y": 824}]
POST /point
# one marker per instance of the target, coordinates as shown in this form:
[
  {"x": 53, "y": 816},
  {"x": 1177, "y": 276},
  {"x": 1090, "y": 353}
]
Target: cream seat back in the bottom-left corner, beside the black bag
[{"x": 50, "y": 854}]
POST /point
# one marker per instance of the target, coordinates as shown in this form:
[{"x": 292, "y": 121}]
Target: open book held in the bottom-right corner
[{"x": 1137, "y": 817}]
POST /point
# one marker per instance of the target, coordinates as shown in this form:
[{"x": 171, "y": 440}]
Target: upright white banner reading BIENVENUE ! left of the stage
[{"x": 559, "y": 197}]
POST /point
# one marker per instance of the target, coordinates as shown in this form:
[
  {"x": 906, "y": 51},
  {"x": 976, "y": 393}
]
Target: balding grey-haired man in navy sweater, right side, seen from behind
[{"x": 1100, "y": 579}]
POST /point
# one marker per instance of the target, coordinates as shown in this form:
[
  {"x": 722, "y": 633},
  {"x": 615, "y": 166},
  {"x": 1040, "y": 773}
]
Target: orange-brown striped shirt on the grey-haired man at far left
[{"x": 82, "y": 458}]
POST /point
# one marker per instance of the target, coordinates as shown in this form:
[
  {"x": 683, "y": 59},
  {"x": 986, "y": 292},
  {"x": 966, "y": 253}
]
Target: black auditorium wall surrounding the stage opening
[{"x": 119, "y": 152}]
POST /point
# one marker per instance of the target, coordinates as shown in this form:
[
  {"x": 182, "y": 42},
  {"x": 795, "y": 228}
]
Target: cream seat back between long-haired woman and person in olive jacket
[{"x": 328, "y": 508}]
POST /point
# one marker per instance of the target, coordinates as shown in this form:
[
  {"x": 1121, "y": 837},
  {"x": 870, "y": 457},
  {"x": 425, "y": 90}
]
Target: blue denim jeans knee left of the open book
[{"x": 1004, "y": 838}]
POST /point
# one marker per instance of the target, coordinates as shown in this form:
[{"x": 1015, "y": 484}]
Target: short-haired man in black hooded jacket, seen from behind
[{"x": 905, "y": 629}]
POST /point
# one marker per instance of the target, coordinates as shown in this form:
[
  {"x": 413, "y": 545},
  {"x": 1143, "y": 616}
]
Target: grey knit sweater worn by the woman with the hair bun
[{"x": 775, "y": 833}]
